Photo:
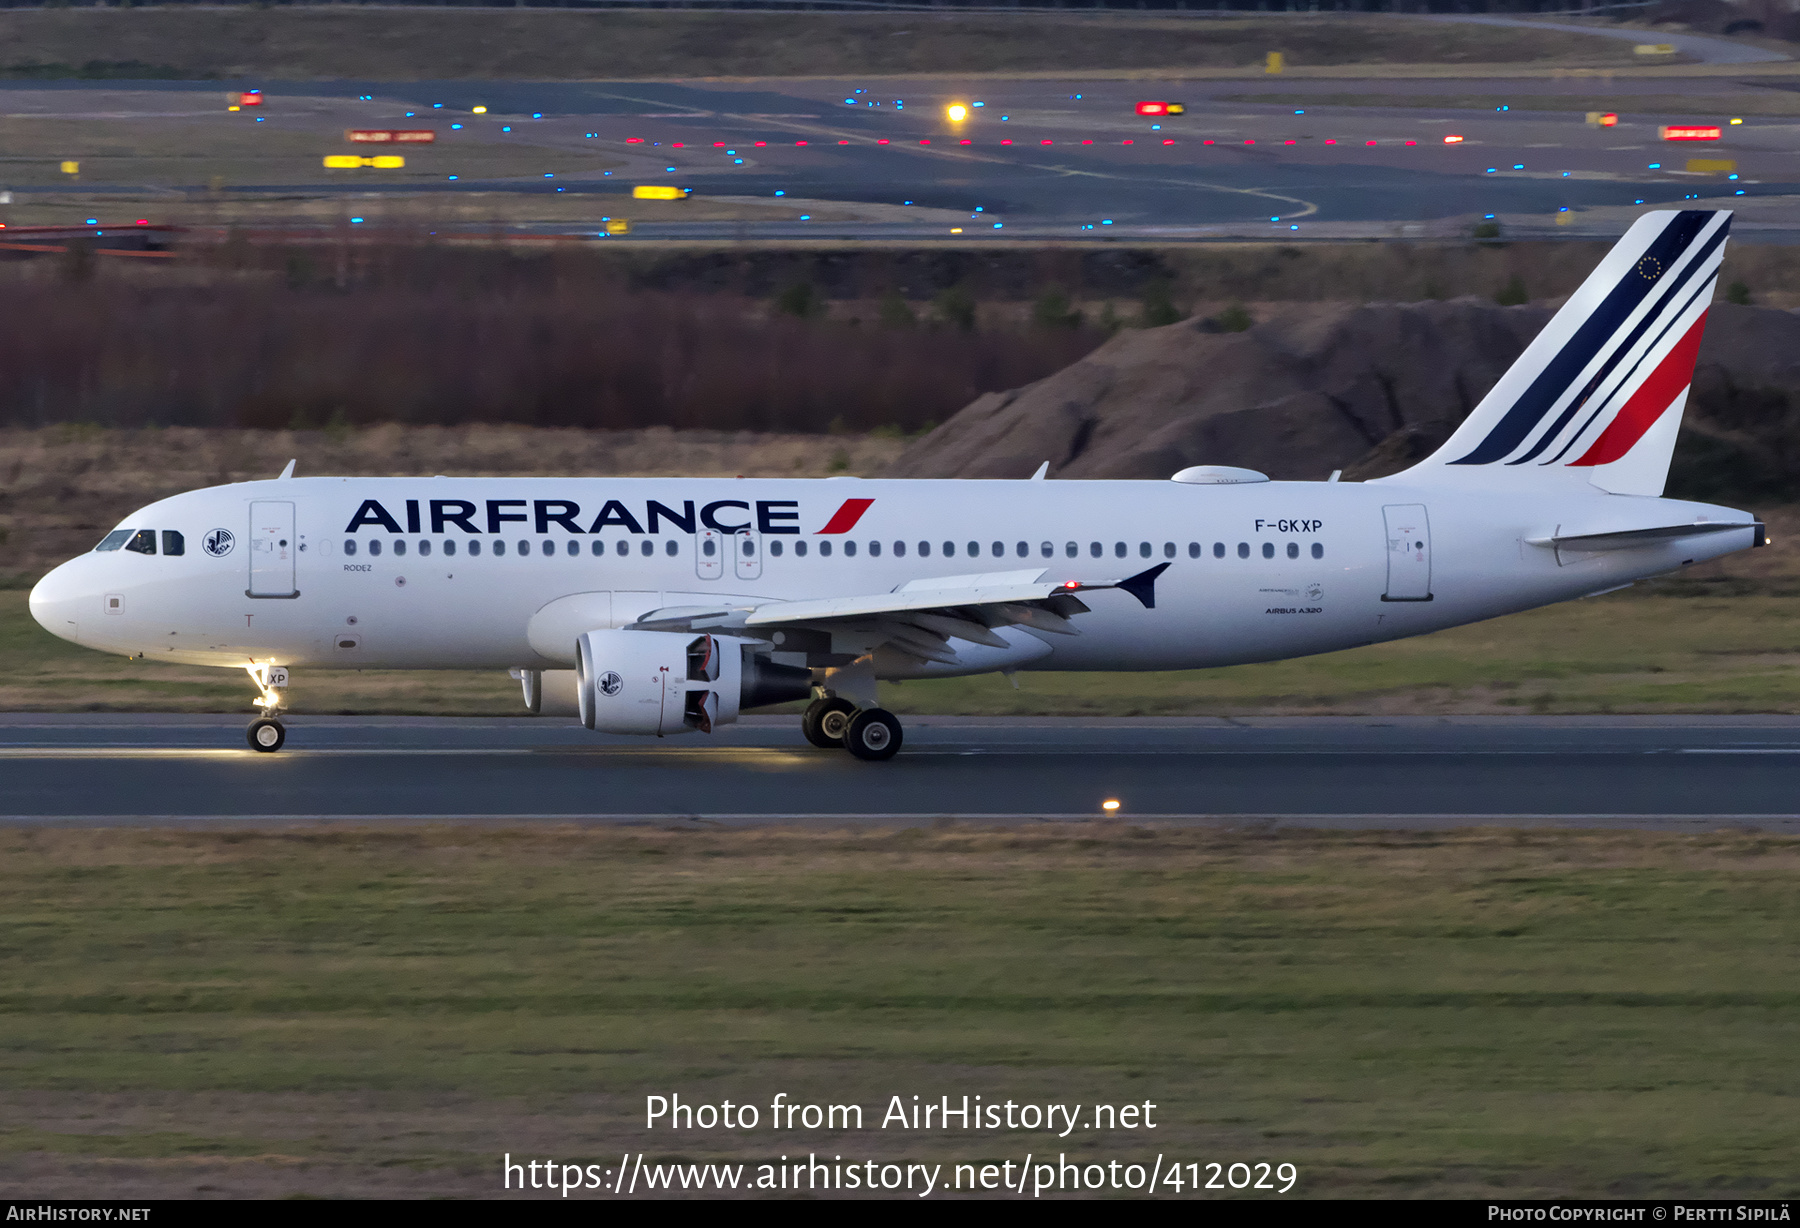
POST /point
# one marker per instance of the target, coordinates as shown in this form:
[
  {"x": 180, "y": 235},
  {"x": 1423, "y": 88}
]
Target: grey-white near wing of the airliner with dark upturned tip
[{"x": 917, "y": 619}]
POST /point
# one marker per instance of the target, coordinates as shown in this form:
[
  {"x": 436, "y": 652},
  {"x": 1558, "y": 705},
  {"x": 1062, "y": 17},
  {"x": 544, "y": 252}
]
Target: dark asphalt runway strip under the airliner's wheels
[{"x": 1655, "y": 773}]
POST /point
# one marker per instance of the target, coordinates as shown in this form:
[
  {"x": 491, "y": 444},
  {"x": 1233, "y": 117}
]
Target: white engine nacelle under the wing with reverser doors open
[{"x": 656, "y": 682}]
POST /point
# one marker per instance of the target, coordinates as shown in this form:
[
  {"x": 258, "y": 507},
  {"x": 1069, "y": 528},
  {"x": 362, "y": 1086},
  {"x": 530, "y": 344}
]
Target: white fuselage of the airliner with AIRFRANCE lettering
[{"x": 1257, "y": 572}]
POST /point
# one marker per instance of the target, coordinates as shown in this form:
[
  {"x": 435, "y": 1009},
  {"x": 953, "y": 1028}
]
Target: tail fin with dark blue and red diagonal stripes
[{"x": 1597, "y": 397}]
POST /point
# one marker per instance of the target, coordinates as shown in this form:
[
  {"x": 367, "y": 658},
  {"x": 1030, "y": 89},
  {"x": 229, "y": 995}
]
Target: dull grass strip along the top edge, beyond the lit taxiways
[{"x": 496, "y": 44}]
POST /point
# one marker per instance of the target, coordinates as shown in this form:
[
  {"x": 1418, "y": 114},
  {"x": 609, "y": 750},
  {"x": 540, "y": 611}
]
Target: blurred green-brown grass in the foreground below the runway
[{"x": 388, "y": 1013}]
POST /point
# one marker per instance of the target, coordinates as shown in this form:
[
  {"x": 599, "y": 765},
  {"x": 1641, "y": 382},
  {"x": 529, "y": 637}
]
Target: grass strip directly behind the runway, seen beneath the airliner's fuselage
[{"x": 1614, "y": 655}]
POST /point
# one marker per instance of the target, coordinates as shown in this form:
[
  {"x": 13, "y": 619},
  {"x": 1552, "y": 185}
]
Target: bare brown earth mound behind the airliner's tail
[{"x": 1362, "y": 388}]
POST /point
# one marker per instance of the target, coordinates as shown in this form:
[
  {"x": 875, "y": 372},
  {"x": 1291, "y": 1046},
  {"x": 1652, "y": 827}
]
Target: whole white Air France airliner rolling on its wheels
[{"x": 672, "y": 606}]
